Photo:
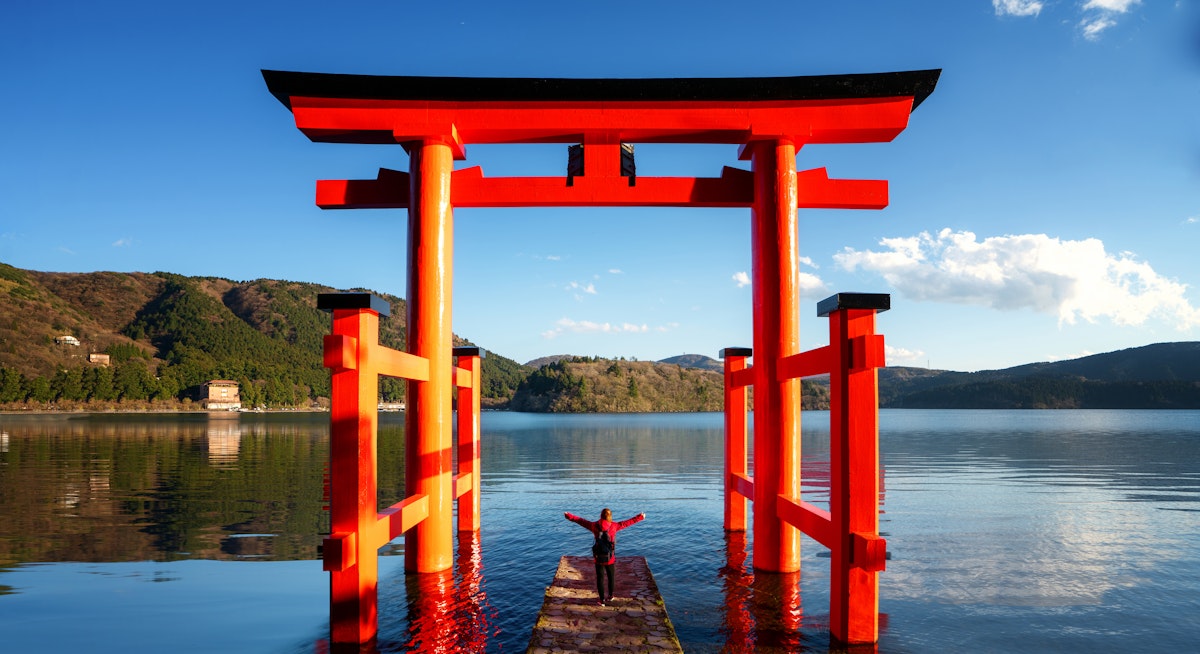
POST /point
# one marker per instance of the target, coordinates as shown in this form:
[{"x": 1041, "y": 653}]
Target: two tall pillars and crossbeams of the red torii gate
[{"x": 435, "y": 119}]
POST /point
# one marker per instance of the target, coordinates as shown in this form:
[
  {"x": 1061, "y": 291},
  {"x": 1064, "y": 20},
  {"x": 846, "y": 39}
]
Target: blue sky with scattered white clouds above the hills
[{"x": 1045, "y": 201}]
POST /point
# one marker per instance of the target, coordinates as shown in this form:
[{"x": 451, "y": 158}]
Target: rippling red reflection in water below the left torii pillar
[{"x": 448, "y": 613}]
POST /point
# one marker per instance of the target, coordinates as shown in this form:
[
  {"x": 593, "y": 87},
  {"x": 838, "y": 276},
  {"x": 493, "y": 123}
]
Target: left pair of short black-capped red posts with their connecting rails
[{"x": 357, "y": 359}]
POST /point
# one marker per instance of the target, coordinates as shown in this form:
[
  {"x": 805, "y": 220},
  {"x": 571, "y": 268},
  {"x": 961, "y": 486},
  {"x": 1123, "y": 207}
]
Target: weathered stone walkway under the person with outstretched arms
[{"x": 573, "y": 621}]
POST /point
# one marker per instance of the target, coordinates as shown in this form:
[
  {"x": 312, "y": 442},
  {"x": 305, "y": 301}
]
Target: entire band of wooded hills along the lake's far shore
[{"x": 169, "y": 334}]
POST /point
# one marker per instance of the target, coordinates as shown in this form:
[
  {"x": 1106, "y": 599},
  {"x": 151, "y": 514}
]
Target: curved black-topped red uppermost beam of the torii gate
[{"x": 849, "y": 109}]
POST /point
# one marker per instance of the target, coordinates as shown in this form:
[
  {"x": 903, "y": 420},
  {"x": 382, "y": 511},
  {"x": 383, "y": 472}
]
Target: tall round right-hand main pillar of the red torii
[{"x": 775, "y": 237}]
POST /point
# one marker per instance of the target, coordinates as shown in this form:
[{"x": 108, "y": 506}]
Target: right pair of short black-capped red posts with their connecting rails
[{"x": 850, "y": 529}]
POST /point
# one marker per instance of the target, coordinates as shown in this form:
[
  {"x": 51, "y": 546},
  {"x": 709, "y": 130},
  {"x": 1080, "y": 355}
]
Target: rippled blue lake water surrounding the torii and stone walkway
[{"x": 1009, "y": 532}]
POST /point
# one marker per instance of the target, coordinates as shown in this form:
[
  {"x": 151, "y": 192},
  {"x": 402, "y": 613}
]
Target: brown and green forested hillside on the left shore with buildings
[{"x": 167, "y": 334}]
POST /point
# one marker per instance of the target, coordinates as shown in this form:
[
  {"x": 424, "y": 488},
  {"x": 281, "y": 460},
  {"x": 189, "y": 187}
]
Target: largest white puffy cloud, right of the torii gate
[{"x": 1070, "y": 279}]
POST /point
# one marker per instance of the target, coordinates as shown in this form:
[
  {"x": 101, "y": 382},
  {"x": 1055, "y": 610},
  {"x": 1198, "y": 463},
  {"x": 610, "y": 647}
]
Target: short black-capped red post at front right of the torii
[{"x": 857, "y": 554}]
